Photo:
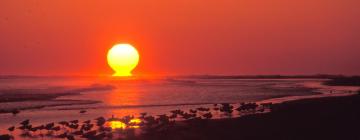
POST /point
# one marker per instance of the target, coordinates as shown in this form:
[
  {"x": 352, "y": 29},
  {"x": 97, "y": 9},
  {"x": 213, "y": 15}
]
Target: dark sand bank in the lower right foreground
[{"x": 331, "y": 118}]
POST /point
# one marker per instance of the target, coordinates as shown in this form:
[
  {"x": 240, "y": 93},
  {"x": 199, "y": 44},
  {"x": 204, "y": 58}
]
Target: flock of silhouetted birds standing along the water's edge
[{"x": 100, "y": 128}]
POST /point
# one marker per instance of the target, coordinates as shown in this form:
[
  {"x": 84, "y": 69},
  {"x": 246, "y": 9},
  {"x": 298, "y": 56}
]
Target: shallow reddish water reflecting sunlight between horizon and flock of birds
[{"x": 159, "y": 95}]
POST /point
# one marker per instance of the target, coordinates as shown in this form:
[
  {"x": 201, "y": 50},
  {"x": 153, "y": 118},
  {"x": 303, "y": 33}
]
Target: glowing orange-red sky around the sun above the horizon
[{"x": 71, "y": 37}]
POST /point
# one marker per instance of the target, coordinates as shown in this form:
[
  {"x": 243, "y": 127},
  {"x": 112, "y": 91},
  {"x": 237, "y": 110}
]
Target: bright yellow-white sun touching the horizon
[{"x": 123, "y": 58}]
